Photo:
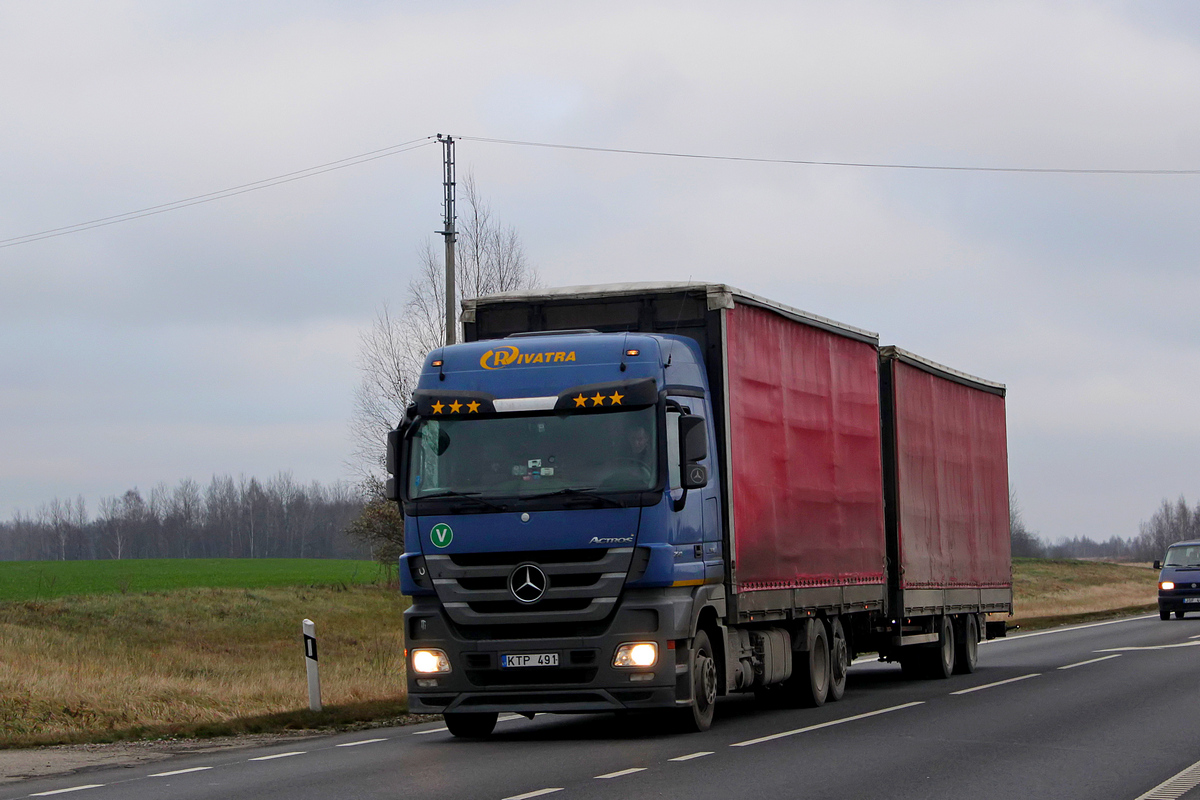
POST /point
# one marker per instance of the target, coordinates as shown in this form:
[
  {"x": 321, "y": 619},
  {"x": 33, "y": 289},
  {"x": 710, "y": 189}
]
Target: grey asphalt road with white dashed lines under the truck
[{"x": 1105, "y": 711}]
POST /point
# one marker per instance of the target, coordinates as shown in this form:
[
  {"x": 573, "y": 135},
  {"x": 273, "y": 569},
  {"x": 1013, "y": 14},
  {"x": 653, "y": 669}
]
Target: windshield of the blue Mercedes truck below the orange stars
[{"x": 526, "y": 456}]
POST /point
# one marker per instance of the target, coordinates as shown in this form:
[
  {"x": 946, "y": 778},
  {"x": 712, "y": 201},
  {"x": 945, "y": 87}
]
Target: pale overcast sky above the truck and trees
[{"x": 221, "y": 339}]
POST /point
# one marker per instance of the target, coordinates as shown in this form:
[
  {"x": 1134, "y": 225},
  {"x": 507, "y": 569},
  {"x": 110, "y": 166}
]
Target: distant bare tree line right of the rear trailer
[{"x": 1173, "y": 522}]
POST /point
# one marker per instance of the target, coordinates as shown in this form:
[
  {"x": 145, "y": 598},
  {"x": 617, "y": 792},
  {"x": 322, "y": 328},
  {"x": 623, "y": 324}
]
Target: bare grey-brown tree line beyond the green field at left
[{"x": 229, "y": 519}]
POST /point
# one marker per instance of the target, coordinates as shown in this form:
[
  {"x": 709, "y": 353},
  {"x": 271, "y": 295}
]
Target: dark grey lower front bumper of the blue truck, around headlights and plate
[{"x": 584, "y": 681}]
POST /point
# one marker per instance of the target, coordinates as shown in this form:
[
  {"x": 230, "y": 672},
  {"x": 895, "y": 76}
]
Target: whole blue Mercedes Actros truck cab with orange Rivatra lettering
[{"x": 561, "y": 510}]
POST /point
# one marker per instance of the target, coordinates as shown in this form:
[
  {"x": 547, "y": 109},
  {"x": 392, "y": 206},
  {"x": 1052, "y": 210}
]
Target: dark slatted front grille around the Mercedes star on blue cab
[{"x": 583, "y": 586}]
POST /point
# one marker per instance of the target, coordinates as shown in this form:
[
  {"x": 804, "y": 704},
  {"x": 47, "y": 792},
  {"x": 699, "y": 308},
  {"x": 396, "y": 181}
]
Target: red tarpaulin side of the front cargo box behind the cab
[{"x": 805, "y": 422}]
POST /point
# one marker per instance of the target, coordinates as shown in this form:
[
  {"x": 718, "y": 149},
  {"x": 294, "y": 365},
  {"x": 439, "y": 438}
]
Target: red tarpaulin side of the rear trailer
[{"x": 952, "y": 454}]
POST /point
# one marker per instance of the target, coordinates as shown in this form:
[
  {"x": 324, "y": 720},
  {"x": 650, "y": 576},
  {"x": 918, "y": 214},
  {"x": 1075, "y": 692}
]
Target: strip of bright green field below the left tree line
[{"x": 25, "y": 581}]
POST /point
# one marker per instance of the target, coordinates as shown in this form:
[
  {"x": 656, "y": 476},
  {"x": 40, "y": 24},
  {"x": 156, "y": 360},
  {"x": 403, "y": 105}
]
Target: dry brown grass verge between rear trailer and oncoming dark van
[{"x": 1058, "y": 588}]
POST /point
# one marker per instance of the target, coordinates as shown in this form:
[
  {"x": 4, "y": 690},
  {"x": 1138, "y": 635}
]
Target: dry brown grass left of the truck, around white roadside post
[{"x": 115, "y": 665}]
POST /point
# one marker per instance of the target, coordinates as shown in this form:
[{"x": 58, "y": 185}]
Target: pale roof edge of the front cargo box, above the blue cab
[{"x": 719, "y": 296}]
